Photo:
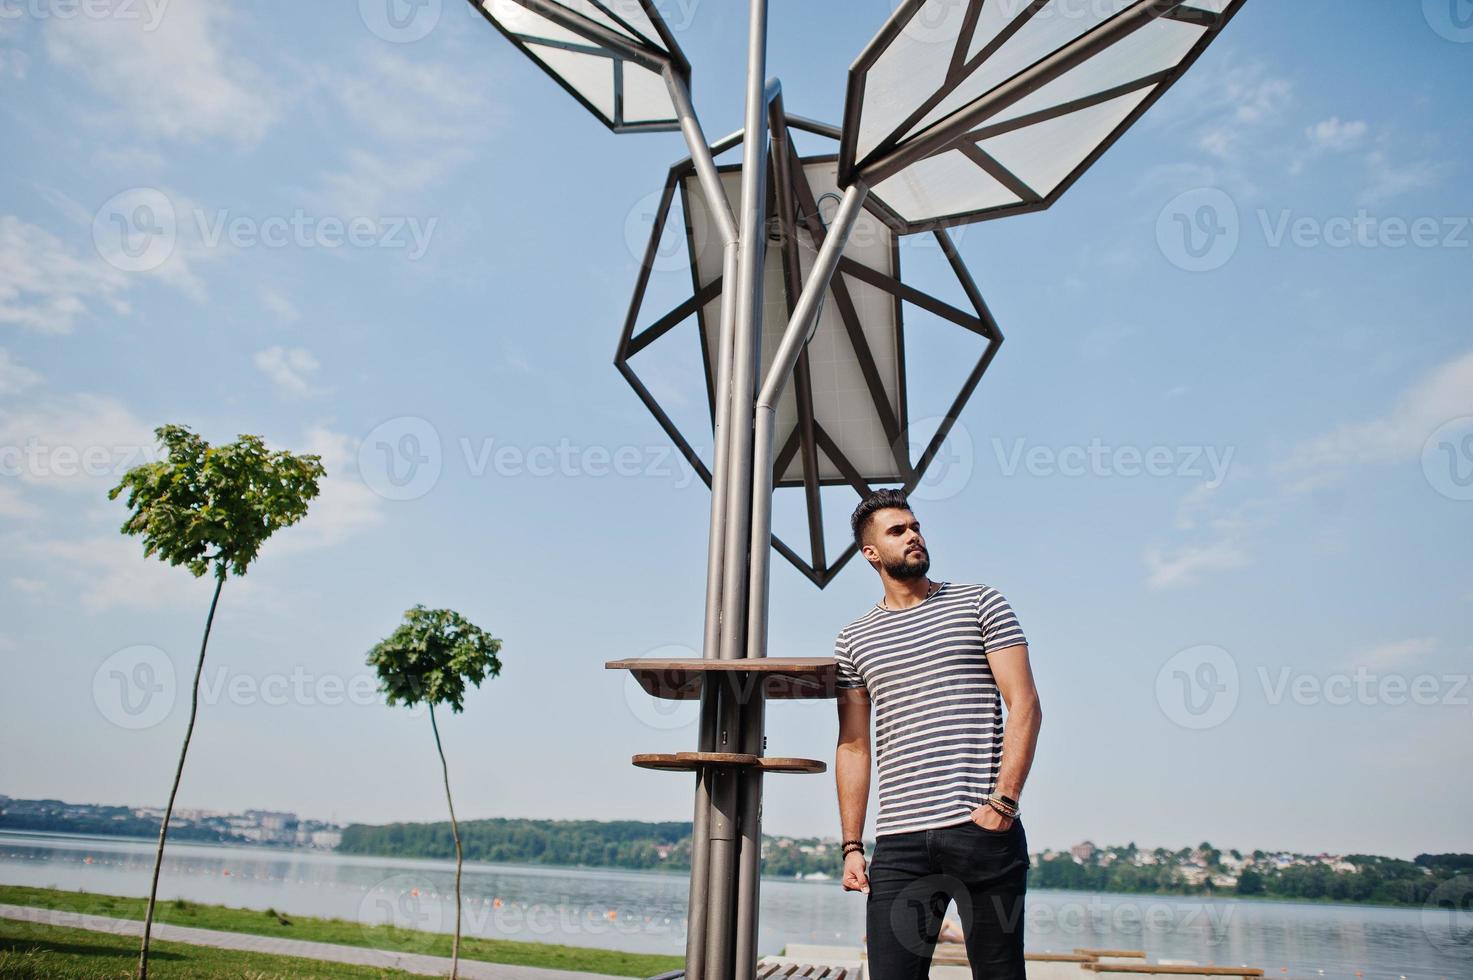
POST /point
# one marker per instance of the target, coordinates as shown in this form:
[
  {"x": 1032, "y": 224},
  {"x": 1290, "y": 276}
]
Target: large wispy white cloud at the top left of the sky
[{"x": 177, "y": 80}]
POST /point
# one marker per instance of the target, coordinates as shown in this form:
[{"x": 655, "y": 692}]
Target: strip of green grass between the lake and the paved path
[{"x": 347, "y": 934}]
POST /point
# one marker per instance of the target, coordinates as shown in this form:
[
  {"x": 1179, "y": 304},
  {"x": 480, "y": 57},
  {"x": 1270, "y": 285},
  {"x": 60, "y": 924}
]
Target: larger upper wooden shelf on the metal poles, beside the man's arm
[{"x": 677, "y": 679}]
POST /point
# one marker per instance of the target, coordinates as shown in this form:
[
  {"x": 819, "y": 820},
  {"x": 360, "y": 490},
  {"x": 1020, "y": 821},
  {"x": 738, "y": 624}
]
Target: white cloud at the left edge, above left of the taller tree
[{"x": 45, "y": 287}]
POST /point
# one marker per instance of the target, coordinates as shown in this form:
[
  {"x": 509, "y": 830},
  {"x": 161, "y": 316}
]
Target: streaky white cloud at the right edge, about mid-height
[{"x": 1399, "y": 435}]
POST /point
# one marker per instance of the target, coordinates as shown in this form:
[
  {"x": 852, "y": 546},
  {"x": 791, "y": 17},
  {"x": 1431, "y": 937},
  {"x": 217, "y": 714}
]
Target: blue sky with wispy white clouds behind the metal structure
[{"x": 1262, "y": 642}]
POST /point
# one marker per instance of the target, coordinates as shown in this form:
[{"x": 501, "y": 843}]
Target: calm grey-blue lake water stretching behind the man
[{"x": 646, "y": 911}]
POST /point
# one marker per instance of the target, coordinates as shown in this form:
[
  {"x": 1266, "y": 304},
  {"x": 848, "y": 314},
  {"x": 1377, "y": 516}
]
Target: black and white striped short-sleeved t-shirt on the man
[{"x": 939, "y": 726}]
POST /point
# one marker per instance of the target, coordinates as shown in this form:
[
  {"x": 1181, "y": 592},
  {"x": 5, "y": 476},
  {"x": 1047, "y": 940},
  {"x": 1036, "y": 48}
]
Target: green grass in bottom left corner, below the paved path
[{"x": 30, "y": 953}]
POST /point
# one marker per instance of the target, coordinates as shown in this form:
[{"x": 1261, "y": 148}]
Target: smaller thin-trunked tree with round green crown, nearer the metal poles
[{"x": 429, "y": 659}]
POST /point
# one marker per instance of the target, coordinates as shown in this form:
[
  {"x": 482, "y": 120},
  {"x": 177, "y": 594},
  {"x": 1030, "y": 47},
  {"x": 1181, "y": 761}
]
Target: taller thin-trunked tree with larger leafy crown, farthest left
[{"x": 210, "y": 509}]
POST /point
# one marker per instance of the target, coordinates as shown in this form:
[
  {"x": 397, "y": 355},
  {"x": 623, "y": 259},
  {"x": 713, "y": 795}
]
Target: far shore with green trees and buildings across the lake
[{"x": 667, "y": 847}]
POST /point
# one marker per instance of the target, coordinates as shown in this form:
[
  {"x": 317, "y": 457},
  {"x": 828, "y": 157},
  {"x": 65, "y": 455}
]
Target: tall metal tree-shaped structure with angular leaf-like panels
[{"x": 730, "y": 763}]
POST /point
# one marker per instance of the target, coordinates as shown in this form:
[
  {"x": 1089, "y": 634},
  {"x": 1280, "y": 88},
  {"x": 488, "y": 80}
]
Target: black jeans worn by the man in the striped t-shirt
[{"x": 914, "y": 876}]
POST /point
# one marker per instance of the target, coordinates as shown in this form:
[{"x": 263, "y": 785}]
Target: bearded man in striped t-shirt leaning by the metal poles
[{"x": 938, "y": 661}]
